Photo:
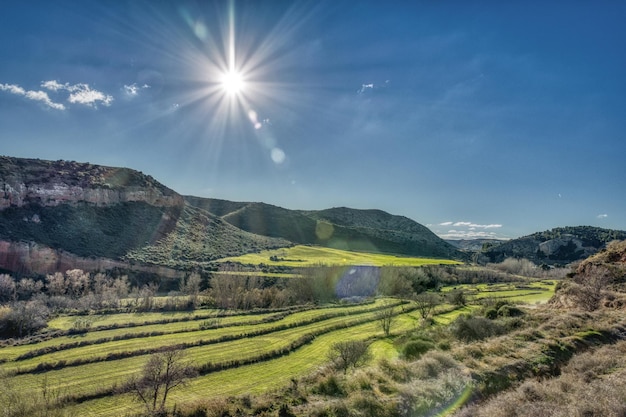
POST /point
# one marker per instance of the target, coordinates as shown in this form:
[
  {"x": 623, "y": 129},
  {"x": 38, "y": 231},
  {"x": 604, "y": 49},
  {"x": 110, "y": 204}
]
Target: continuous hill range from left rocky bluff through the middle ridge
[{"x": 59, "y": 215}]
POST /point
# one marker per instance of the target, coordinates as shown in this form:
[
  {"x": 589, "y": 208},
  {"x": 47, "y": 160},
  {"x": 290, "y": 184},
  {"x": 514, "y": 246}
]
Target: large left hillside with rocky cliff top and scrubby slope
[{"x": 59, "y": 214}]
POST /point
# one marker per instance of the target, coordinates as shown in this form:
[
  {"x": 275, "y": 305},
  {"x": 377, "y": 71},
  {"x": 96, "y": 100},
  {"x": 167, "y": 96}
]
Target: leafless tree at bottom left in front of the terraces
[{"x": 163, "y": 372}]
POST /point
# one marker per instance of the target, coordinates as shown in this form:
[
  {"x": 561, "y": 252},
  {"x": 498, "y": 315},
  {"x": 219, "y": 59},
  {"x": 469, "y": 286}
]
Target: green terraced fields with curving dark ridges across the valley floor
[{"x": 234, "y": 354}]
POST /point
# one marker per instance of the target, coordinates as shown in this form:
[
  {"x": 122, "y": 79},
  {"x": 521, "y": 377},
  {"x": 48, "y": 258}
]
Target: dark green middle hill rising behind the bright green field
[{"x": 340, "y": 228}]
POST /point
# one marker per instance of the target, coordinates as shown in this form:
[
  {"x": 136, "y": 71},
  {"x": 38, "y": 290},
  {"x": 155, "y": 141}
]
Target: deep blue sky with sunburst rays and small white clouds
[{"x": 476, "y": 119}]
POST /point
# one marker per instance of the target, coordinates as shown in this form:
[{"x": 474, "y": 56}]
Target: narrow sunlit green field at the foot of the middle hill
[{"x": 303, "y": 256}]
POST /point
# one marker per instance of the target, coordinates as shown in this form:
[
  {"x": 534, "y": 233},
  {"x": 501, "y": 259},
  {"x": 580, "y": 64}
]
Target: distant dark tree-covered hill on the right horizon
[{"x": 560, "y": 245}]
